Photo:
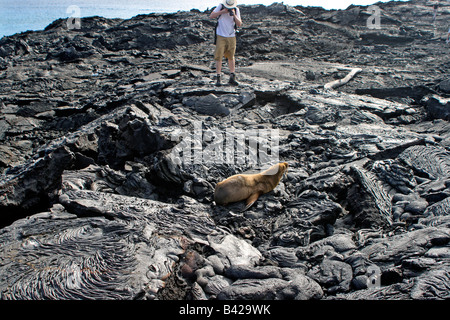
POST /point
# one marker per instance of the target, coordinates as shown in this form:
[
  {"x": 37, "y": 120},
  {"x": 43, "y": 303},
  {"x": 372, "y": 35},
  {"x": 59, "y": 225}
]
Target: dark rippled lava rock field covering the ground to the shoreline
[{"x": 101, "y": 197}]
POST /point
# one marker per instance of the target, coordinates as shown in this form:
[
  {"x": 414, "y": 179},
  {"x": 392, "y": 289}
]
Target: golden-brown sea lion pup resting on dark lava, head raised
[{"x": 249, "y": 186}]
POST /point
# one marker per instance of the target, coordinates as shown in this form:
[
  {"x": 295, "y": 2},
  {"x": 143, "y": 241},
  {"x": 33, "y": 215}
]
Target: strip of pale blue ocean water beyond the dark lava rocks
[{"x": 23, "y": 15}]
